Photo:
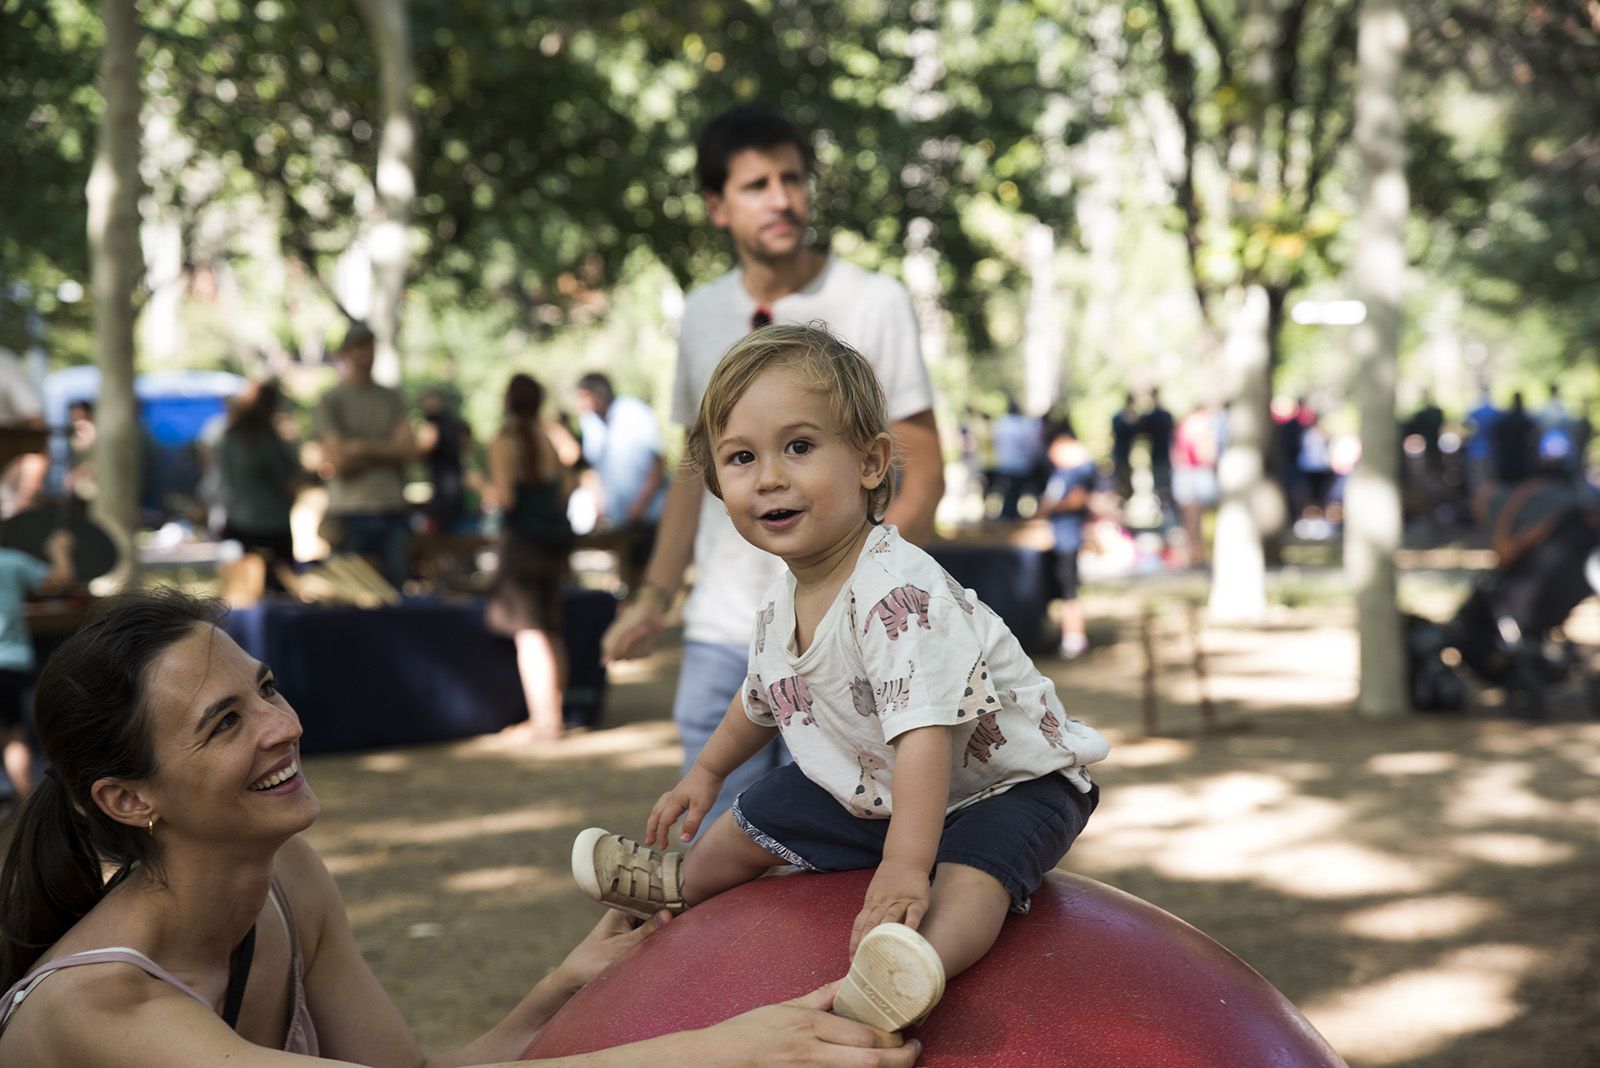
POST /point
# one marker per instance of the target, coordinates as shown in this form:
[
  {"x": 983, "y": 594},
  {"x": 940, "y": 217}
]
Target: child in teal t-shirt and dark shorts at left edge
[{"x": 22, "y": 575}]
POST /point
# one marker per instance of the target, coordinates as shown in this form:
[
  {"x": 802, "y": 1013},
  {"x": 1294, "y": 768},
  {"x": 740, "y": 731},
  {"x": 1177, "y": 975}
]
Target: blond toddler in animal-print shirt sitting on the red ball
[{"x": 926, "y": 743}]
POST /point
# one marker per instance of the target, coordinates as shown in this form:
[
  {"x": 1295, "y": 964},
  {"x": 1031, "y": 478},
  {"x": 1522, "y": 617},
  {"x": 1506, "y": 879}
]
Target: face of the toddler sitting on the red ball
[{"x": 794, "y": 487}]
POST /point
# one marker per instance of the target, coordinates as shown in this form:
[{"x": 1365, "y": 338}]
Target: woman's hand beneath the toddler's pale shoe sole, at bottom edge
[{"x": 804, "y": 1032}]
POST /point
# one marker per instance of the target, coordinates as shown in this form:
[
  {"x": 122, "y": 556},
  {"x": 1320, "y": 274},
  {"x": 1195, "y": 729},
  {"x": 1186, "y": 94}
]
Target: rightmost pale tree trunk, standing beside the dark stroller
[{"x": 1372, "y": 514}]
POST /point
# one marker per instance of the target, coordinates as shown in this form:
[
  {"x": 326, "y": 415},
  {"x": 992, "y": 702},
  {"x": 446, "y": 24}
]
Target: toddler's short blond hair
[{"x": 828, "y": 365}]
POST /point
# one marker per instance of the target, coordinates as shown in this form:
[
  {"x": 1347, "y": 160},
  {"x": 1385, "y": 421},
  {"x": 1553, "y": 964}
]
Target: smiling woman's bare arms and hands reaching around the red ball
[{"x": 118, "y": 1016}]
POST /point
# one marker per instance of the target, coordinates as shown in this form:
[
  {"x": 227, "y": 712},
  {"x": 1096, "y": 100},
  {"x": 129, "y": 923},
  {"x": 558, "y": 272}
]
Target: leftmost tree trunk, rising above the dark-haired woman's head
[{"x": 118, "y": 266}]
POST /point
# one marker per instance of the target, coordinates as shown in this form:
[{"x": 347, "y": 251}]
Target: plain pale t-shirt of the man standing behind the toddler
[{"x": 874, "y": 314}]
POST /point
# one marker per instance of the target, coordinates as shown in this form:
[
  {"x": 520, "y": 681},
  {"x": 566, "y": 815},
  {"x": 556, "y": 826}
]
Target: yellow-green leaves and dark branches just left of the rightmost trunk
[{"x": 1262, "y": 113}]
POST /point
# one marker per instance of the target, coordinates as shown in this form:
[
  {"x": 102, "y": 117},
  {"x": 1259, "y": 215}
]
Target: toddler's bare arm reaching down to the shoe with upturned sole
[{"x": 922, "y": 792}]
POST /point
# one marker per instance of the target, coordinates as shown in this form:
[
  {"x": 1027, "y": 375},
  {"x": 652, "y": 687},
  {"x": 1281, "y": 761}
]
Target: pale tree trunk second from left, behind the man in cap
[{"x": 396, "y": 181}]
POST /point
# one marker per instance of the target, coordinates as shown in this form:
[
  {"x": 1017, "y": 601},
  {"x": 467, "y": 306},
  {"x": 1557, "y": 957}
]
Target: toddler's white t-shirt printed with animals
[{"x": 905, "y": 647}]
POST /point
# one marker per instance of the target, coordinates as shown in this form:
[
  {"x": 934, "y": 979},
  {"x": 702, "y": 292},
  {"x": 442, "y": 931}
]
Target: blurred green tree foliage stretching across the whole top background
[{"x": 556, "y": 199}]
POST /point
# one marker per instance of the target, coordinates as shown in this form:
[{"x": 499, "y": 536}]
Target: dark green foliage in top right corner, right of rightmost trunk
[{"x": 1510, "y": 161}]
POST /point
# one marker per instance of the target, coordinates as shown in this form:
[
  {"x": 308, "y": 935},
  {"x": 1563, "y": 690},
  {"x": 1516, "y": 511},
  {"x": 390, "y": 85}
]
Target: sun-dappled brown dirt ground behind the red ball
[{"x": 1422, "y": 888}]
